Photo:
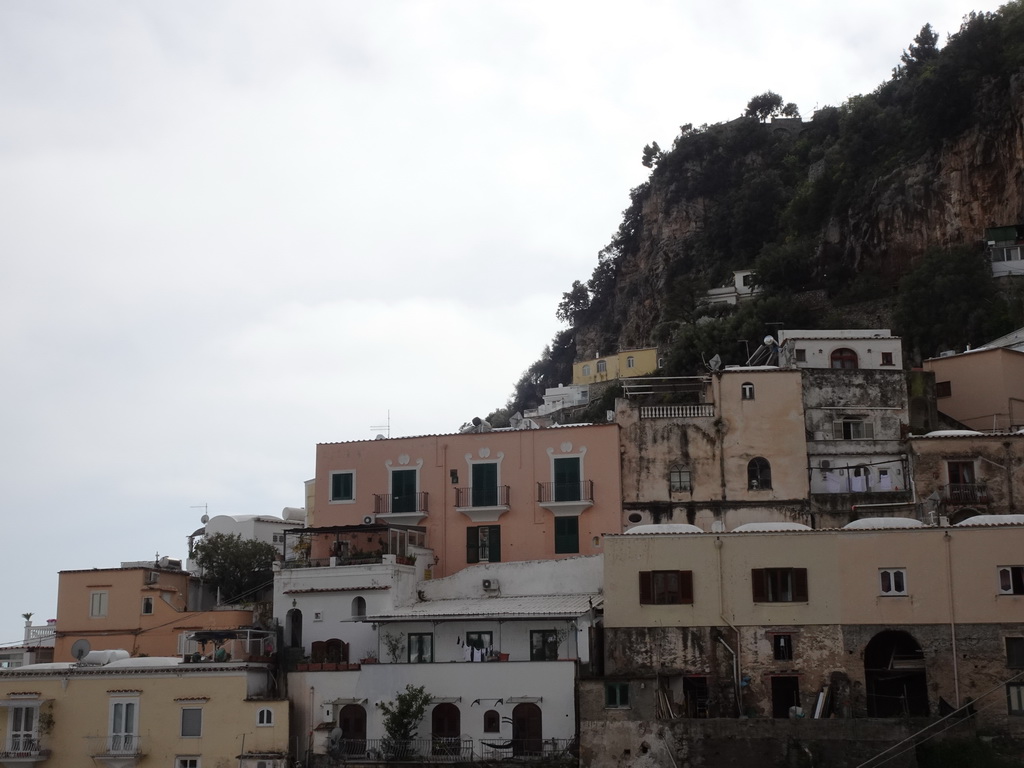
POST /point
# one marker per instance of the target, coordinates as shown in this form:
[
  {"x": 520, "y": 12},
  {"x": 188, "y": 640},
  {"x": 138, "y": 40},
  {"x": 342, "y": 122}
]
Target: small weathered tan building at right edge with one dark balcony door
[{"x": 963, "y": 475}]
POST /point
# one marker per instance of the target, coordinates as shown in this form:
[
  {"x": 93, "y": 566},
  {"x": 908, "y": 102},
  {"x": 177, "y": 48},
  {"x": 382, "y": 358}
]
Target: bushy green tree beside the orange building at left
[{"x": 236, "y": 567}]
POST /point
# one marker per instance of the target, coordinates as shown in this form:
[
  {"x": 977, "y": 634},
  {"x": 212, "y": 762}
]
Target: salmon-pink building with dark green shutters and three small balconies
[{"x": 483, "y": 497}]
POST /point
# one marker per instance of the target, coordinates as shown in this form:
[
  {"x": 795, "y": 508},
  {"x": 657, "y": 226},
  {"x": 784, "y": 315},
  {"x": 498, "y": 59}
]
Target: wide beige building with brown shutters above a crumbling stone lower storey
[{"x": 887, "y": 619}]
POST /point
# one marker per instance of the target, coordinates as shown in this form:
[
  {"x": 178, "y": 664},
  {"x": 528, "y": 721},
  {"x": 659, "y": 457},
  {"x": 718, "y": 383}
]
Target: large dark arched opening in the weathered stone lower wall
[{"x": 894, "y": 676}]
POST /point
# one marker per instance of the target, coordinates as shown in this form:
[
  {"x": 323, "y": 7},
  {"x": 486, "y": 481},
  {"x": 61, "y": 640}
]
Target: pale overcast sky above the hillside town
[{"x": 231, "y": 231}]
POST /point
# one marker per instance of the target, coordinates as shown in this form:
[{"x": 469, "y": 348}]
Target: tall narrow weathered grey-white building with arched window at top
[{"x": 858, "y": 411}]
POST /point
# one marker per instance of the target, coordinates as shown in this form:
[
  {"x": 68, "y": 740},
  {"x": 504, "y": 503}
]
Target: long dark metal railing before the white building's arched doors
[{"x": 454, "y": 749}]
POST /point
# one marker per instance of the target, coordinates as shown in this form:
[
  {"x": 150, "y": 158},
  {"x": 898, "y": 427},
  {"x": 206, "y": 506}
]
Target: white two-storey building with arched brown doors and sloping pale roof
[{"x": 499, "y": 650}]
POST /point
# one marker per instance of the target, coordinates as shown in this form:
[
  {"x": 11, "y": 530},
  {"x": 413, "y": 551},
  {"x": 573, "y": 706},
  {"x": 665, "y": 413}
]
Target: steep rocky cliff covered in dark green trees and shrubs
[{"x": 872, "y": 212}]
